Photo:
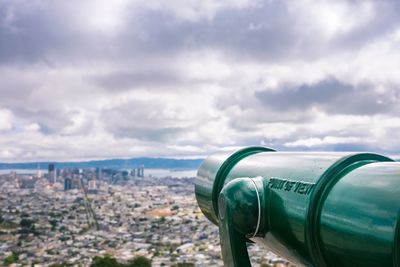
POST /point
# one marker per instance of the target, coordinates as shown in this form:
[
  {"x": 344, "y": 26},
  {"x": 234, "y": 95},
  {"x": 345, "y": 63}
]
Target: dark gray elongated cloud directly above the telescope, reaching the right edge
[{"x": 331, "y": 96}]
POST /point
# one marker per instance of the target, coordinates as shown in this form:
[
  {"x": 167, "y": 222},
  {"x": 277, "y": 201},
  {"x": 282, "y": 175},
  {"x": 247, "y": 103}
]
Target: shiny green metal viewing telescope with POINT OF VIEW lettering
[{"x": 314, "y": 209}]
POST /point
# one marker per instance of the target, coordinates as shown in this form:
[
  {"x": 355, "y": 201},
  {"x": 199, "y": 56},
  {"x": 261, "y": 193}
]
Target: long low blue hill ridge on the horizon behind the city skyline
[{"x": 152, "y": 163}]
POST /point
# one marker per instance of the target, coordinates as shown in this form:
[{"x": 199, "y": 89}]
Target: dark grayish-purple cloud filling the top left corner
[{"x": 49, "y": 33}]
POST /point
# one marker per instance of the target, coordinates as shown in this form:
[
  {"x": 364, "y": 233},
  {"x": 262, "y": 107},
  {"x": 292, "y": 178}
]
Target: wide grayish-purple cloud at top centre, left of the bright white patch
[{"x": 265, "y": 30}]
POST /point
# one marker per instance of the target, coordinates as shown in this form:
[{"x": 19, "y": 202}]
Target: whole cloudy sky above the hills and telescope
[{"x": 124, "y": 78}]
